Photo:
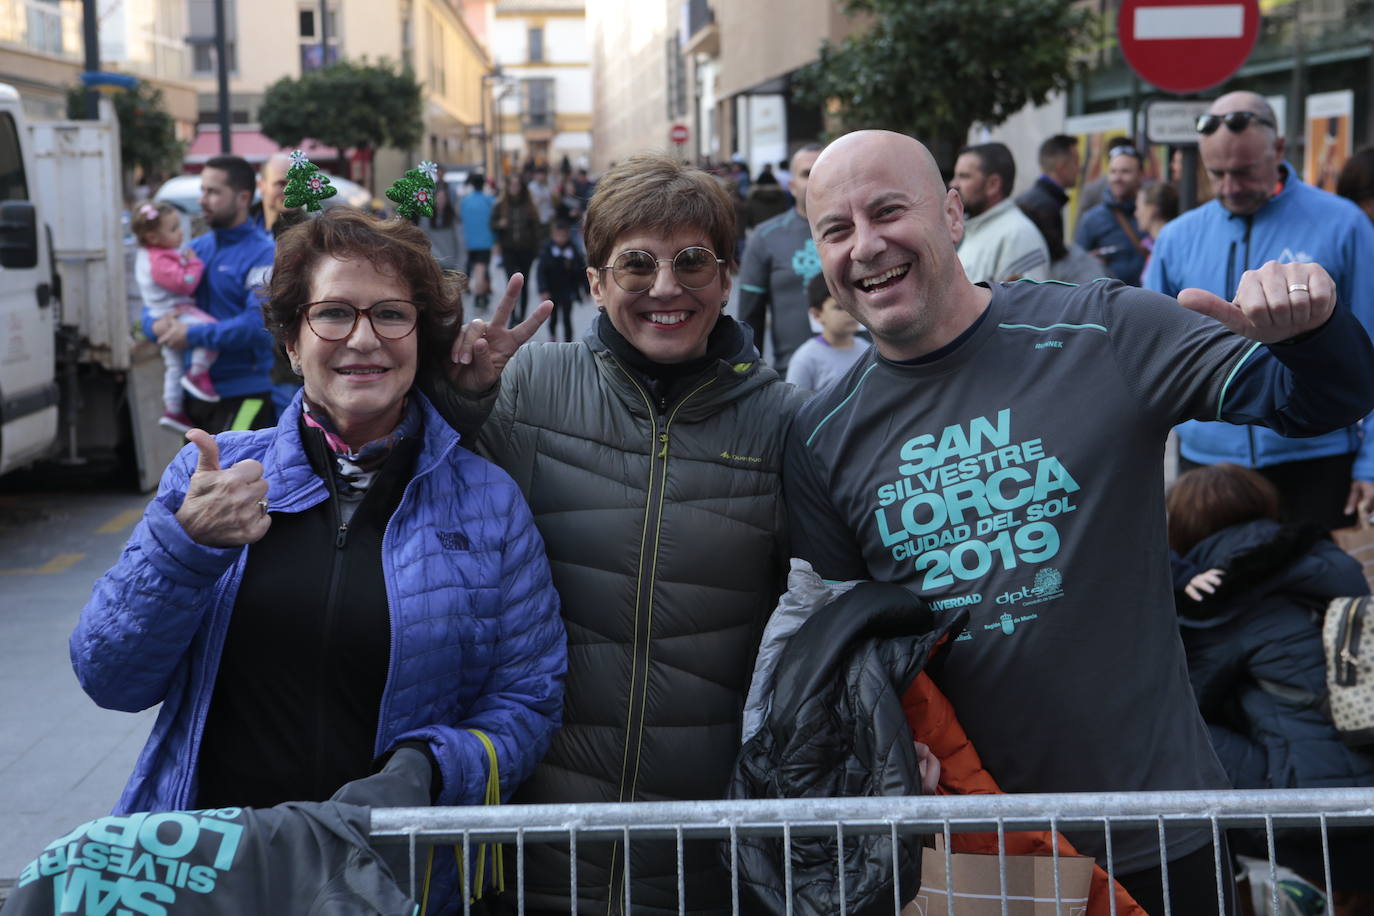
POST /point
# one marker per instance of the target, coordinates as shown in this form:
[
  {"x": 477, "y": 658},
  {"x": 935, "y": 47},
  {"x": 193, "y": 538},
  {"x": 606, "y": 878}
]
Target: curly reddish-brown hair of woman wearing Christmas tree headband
[{"x": 392, "y": 247}]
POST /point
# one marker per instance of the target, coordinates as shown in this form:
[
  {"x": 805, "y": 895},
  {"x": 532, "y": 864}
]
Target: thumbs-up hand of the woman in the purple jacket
[{"x": 223, "y": 507}]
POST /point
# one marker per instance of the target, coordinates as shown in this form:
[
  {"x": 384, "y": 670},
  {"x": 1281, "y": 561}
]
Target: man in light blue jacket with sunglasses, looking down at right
[{"x": 1263, "y": 212}]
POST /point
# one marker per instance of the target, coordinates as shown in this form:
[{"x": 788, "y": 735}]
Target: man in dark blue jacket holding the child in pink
[{"x": 238, "y": 257}]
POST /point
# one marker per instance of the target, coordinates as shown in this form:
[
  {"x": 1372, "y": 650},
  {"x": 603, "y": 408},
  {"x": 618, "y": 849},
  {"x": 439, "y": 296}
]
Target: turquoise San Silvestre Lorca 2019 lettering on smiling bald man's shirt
[{"x": 969, "y": 502}]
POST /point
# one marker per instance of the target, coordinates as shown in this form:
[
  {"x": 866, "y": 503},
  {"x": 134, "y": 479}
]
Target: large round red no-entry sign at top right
[{"x": 1182, "y": 46}]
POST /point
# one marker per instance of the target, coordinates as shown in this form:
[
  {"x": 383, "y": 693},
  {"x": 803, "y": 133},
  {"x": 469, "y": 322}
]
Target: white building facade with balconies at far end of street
[{"x": 542, "y": 94}]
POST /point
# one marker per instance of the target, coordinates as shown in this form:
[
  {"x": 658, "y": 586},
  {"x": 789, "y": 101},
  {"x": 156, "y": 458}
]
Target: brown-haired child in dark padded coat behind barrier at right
[{"x": 1251, "y": 599}]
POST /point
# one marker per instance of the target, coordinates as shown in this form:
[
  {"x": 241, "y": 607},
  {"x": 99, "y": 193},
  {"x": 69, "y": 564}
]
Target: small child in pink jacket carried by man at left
[{"x": 168, "y": 277}]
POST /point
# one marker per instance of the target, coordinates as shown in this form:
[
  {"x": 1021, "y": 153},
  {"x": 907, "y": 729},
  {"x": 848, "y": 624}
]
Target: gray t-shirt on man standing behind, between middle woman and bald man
[{"x": 778, "y": 264}]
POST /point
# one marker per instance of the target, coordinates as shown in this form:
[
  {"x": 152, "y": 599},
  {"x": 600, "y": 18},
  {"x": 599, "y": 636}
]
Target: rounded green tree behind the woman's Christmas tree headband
[{"x": 348, "y": 106}]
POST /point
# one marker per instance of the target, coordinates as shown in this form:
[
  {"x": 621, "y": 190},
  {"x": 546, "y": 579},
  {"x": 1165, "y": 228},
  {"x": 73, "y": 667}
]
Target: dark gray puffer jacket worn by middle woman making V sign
[{"x": 667, "y": 539}]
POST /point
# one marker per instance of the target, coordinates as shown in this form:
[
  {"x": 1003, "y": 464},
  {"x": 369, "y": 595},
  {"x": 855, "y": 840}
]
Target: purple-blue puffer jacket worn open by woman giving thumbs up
[{"x": 477, "y": 641}]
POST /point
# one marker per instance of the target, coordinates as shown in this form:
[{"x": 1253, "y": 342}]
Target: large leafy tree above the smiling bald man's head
[{"x": 936, "y": 68}]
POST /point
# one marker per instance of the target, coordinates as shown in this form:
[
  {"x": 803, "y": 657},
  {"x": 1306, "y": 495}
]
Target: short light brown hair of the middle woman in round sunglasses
[{"x": 657, "y": 196}]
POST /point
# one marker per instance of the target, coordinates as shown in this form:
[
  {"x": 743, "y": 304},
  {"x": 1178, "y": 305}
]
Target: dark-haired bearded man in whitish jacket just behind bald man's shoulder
[{"x": 1000, "y": 241}]
